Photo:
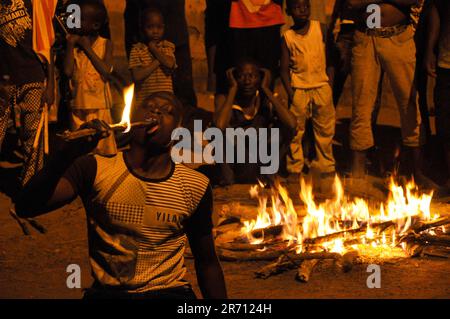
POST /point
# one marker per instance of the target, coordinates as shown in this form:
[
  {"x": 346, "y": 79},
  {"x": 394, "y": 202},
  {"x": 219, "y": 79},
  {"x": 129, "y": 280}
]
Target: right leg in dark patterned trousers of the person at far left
[{"x": 29, "y": 102}]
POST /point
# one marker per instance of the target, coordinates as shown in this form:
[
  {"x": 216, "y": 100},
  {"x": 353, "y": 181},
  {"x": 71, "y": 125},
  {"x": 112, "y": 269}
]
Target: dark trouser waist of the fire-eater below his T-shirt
[{"x": 182, "y": 292}]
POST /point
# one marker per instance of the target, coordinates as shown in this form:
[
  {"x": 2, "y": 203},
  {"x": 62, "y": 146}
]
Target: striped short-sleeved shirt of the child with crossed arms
[{"x": 161, "y": 78}]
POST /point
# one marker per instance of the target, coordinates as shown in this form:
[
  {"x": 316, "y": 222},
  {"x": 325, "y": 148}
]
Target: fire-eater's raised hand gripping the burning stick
[{"x": 85, "y": 145}]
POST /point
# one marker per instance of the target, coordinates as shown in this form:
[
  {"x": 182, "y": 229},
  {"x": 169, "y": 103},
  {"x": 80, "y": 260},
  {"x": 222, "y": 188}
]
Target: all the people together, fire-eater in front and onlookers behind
[{"x": 140, "y": 205}]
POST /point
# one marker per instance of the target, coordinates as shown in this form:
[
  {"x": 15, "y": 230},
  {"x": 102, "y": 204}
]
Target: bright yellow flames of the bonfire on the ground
[{"x": 405, "y": 206}]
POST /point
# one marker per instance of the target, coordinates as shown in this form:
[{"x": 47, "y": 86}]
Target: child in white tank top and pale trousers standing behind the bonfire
[{"x": 303, "y": 72}]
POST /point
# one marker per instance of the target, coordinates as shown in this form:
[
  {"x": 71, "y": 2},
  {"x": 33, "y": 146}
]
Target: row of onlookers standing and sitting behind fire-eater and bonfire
[{"x": 312, "y": 58}]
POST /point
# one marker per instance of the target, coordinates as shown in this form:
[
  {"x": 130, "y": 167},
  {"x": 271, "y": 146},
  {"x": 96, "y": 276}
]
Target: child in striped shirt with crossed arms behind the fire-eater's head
[{"x": 152, "y": 62}]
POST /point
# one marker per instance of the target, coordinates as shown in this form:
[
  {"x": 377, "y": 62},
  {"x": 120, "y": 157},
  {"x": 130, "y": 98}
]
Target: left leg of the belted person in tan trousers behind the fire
[{"x": 365, "y": 77}]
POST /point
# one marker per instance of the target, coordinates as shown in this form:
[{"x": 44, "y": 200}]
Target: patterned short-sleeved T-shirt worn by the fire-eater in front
[{"x": 137, "y": 227}]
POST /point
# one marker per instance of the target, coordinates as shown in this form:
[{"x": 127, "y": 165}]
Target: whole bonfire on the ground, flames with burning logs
[{"x": 343, "y": 229}]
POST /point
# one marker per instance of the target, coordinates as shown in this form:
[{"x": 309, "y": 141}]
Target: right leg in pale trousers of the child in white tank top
[{"x": 324, "y": 120}]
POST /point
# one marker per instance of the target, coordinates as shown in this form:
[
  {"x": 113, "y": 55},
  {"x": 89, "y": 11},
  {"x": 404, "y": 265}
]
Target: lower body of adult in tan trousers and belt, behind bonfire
[{"x": 389, "y": 48}]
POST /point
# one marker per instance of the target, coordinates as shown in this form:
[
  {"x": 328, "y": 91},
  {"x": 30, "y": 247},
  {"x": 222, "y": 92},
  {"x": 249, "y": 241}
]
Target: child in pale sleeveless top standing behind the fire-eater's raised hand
[{"x": 88, "y": 64}]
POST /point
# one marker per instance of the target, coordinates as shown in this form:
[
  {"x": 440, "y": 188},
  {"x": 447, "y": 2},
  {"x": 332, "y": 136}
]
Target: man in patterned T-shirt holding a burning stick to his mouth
[{"x": 140, "y": 208}]
